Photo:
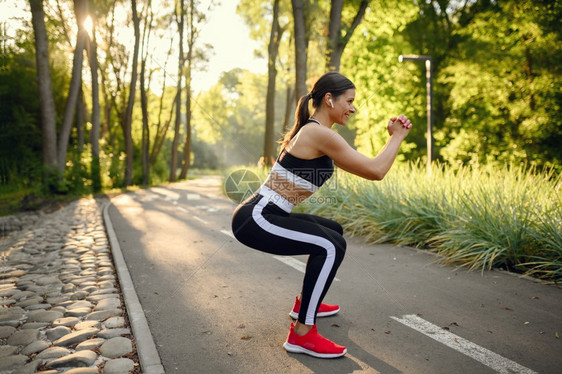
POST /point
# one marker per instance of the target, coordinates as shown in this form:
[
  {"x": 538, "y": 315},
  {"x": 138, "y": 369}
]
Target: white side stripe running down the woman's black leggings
[{"x": 306, "y": 238}]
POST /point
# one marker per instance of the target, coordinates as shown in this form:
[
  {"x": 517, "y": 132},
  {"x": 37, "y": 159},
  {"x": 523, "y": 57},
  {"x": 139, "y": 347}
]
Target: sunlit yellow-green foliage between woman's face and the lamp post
[{"x": 371, "y": 62}]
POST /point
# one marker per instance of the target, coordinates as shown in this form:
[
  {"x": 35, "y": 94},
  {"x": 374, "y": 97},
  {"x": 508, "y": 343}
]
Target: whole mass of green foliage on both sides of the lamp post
[{"x": 497, "y": 80}]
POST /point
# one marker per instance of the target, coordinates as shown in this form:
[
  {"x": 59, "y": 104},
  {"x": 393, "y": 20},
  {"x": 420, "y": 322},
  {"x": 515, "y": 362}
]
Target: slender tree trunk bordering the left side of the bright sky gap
[{"x": 191, "y": 46}]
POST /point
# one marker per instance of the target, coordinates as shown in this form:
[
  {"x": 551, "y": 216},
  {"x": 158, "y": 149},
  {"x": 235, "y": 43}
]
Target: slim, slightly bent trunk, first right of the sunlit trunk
[{"x": 127, "y": 125}]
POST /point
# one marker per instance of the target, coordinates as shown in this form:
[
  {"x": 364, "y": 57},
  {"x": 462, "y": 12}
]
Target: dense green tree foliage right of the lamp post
[{"x": 505, "y": 87}]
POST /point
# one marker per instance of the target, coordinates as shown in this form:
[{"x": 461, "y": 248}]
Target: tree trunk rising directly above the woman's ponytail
[{"x": 301, "y": 48}]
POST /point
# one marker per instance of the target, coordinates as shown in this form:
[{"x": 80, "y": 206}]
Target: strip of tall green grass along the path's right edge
[{"x": 479, "y": 218}]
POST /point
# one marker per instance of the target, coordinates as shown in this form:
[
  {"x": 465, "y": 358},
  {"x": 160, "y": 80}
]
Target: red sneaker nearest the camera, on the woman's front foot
[{"x": 313, "y": 344}]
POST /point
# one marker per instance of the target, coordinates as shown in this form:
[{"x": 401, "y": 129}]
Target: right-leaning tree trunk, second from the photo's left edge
[{"x": 81, "y": 10}]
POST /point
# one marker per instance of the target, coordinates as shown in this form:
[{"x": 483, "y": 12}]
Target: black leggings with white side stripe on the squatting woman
[{"x": 262, "y": 225}]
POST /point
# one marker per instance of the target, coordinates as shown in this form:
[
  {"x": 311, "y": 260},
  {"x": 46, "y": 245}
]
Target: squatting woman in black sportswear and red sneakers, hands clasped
[{"x": 308, "y": 154}]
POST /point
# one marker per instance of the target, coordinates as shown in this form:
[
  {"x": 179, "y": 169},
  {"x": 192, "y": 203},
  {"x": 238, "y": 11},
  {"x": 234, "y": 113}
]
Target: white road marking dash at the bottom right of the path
[{"x": 476, "y": 352}]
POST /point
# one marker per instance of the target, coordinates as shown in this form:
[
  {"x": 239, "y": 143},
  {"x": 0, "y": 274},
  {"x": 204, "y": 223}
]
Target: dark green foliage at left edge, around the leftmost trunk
[{"x": 21, "y": 159}]
